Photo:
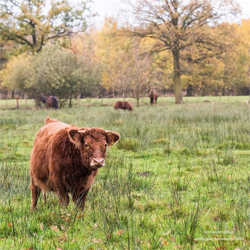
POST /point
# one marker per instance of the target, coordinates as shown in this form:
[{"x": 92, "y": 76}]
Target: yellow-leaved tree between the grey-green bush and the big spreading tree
[{"x": 126, "y": 61}]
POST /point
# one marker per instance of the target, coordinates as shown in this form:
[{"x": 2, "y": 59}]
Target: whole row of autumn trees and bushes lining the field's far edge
[{"x": 54, "y": 58}]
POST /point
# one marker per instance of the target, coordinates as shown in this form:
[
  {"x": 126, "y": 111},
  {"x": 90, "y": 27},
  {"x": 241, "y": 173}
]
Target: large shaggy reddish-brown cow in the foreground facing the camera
[{"x": 65, "y": 159}]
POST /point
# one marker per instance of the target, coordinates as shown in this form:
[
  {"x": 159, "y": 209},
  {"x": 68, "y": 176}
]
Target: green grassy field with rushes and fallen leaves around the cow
[{"x": 179, "y": 178}]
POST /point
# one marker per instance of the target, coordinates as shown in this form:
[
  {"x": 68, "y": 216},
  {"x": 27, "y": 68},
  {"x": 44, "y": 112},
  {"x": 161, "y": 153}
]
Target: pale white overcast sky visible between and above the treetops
[{"x": 112, "y": 7}]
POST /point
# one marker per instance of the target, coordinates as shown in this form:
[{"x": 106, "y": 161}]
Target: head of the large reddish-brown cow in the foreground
[{"x": 93, "y": 144}]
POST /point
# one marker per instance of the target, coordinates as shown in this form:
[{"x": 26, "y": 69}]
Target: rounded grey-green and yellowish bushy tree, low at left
[{"x": 54, "y": 71}]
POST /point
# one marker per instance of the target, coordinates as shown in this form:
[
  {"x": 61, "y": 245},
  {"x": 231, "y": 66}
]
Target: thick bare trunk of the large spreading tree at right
[{"x": 177, "y": 76}]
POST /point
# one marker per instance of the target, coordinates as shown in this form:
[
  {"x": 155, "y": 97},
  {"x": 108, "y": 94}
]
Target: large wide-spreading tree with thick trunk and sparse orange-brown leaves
[{"x": 178, "y": 24}]
